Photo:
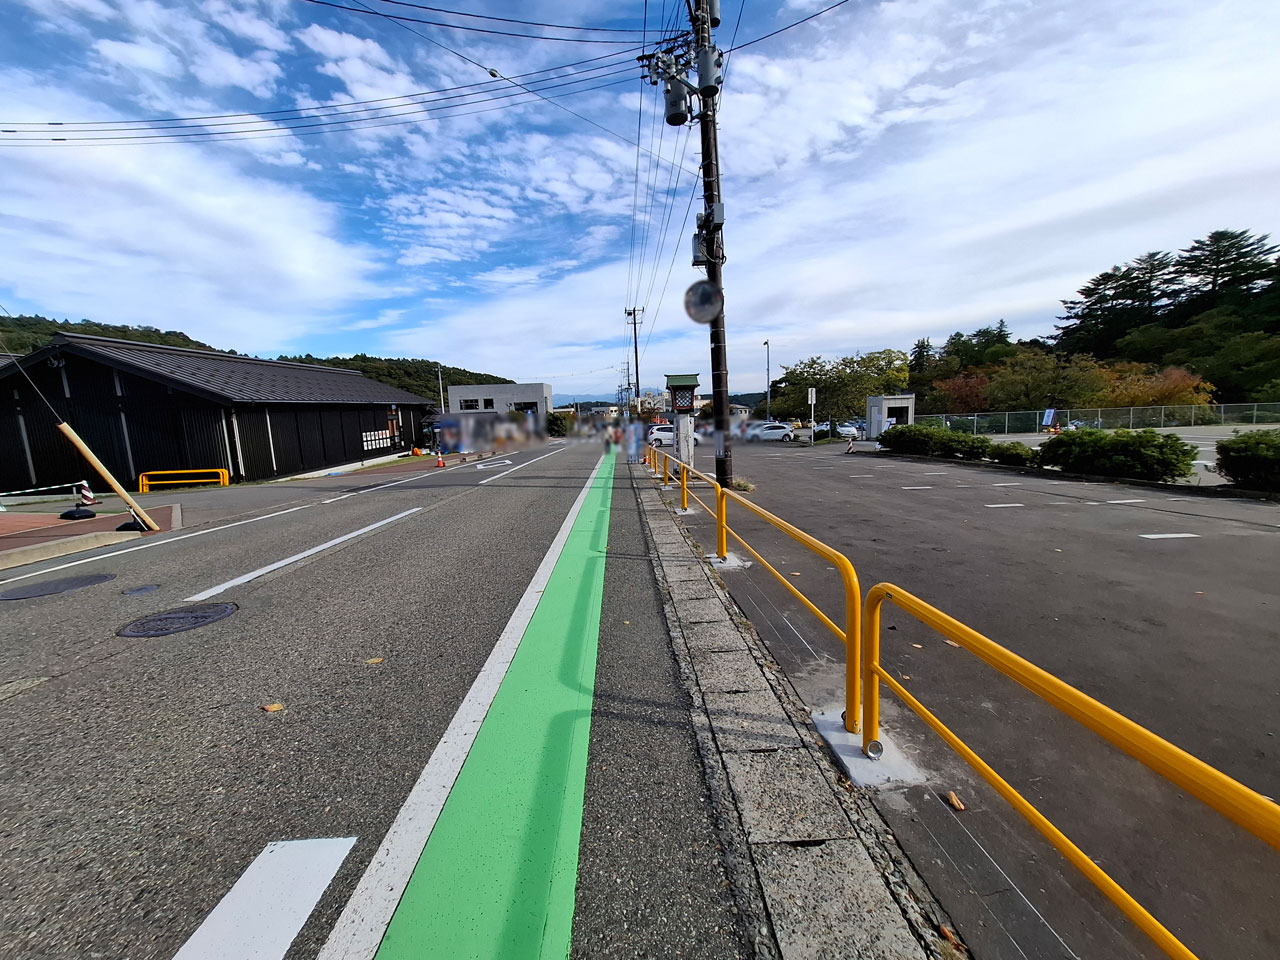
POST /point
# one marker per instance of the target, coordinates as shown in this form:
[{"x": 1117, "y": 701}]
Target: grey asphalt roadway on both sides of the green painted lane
[{"x": 141, "y": 776}]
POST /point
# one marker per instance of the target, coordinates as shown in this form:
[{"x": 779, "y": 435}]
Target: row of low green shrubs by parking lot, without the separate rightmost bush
[{"x": 1139, "y": 455}]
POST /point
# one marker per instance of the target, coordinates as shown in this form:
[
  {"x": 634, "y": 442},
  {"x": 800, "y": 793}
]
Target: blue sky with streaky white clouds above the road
[{"x": 892, "y": 171}]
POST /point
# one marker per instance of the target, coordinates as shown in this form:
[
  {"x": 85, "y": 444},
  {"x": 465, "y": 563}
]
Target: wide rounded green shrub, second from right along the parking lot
[{"x": 1139, "y": 455}]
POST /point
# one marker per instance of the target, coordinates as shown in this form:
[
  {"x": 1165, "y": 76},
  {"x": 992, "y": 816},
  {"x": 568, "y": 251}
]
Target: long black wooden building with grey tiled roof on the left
[{"x": 141, "y": 408}]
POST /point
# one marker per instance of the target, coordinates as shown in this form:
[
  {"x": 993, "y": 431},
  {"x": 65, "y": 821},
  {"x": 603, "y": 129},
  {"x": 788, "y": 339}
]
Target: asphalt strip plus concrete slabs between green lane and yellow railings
[{"x": 716, "y": 825}]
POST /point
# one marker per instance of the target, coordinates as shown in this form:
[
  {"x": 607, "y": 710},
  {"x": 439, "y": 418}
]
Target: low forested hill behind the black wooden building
[{"x": 22, "y": 335}]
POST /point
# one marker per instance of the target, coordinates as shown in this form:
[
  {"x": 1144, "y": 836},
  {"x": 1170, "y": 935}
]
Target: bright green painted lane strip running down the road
[{"x": 500, "y": 871}]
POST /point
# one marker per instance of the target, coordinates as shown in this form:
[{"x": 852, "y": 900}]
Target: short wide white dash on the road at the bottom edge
[{"x": 263, "y": 913}]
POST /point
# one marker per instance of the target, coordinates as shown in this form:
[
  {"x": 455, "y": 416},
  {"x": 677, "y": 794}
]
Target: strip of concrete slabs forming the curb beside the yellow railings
[{"x": 803, "y": 847}]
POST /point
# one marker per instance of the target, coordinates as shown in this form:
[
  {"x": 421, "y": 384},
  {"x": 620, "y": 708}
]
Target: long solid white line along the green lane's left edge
[{"x": 364, "y": 921}]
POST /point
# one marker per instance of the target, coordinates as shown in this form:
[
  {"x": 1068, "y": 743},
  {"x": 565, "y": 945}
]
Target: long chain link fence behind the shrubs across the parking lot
[{"x": 1030, "y": 422}]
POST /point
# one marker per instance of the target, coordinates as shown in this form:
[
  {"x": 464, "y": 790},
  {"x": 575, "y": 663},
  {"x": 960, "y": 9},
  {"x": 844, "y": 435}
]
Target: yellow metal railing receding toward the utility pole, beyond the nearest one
[{"x": 851, "y": 636}]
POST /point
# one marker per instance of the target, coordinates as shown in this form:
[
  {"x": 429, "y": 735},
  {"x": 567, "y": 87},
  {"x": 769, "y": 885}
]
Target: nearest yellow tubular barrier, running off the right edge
[{"x": 1232, "y": 799}]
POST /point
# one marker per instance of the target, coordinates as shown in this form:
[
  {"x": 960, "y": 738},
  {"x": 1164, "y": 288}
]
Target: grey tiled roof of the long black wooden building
[{"x": 237, "y": 380}]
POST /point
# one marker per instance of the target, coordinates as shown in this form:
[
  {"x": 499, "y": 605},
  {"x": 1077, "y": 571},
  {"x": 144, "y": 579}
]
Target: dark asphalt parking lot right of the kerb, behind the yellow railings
[{"x": 1177, "y": 633}]
